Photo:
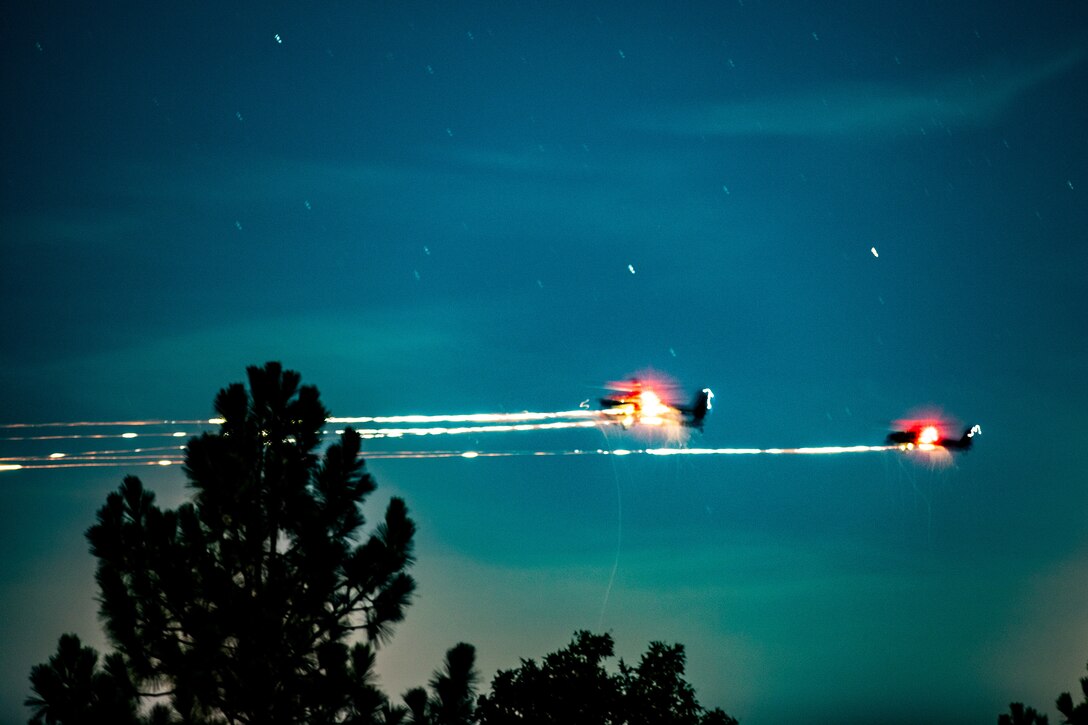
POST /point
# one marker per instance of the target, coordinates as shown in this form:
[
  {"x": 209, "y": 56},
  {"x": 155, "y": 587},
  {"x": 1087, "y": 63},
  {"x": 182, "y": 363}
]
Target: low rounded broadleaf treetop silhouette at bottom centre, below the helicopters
[{"x": 572, "y": 687}]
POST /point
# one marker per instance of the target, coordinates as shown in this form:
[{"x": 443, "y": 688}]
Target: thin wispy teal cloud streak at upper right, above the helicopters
[{"x": 870, "y": 109}]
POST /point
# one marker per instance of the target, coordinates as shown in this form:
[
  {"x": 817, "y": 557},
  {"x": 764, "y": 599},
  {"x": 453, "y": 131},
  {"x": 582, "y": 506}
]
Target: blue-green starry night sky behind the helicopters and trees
[{"x": 468, "y": 207}]
